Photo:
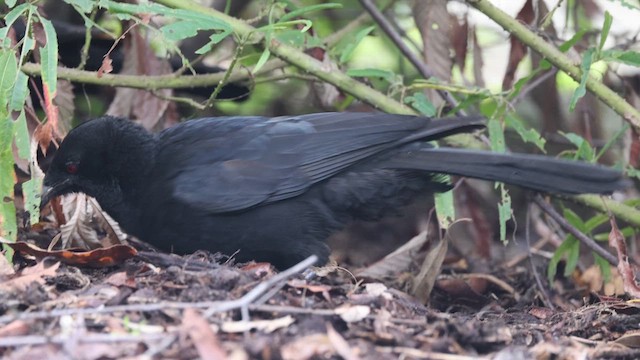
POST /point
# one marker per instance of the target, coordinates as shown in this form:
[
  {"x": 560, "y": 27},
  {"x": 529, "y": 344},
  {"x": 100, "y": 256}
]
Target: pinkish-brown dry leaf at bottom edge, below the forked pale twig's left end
[{"x": 204, "y": 339}]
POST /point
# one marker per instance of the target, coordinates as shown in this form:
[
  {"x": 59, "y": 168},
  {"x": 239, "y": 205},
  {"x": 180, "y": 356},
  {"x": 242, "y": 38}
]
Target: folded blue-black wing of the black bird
[{"x": 234, "y": 163}]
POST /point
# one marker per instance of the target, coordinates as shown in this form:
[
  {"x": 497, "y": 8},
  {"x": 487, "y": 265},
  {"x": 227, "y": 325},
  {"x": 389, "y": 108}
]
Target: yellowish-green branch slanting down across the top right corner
[{"x": 560, "y": 60}]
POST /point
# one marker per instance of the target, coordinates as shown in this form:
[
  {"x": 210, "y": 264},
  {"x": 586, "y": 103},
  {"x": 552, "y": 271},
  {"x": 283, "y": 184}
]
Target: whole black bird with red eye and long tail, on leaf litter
[{"x": 274, "y": 189}]
